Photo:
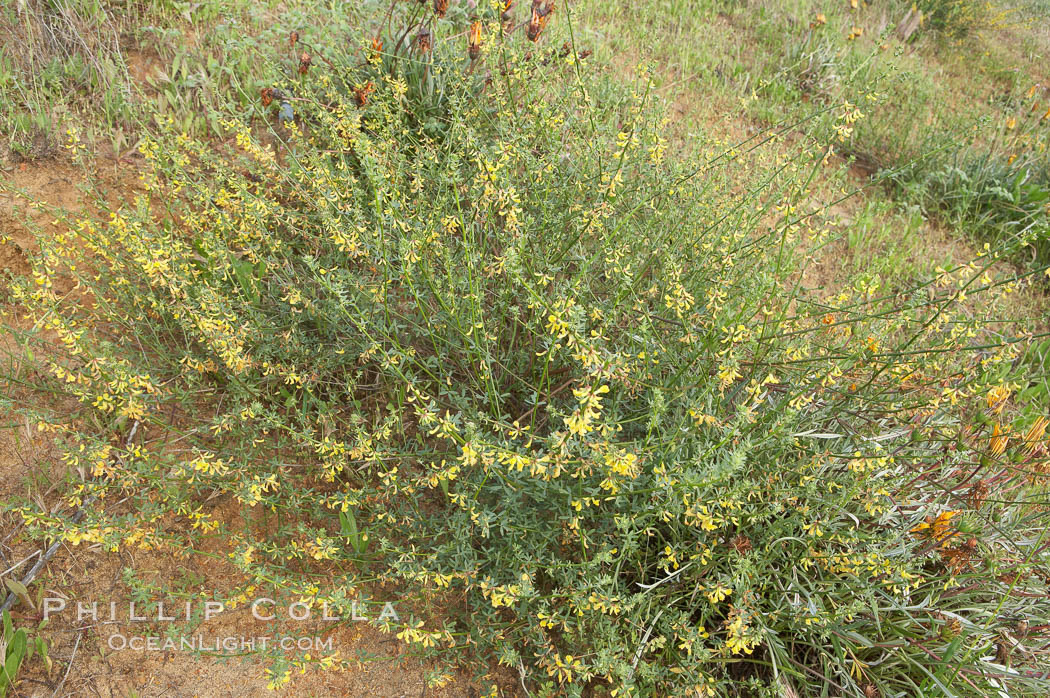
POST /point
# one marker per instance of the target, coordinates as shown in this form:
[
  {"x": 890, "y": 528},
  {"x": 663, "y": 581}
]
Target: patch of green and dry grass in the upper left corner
[{"x": 120, "y": 68}]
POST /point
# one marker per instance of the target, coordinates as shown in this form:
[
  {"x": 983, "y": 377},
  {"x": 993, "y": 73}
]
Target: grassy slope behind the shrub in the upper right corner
[{"x": 928, "y": 115}]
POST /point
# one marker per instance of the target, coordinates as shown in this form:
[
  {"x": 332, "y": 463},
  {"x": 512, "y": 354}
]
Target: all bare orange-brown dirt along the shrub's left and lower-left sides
[{"x": 90, "y": 657}]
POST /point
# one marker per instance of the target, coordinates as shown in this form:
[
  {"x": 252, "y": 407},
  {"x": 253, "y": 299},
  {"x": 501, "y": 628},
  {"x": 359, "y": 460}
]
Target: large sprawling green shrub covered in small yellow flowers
[{"x": 469, "y": 328}]
